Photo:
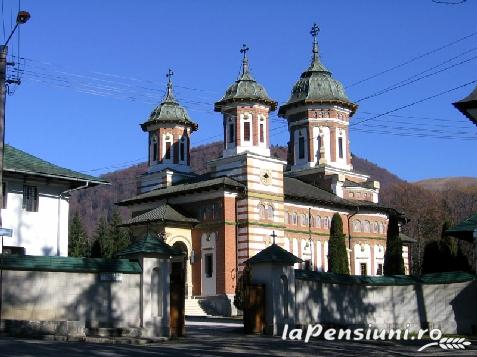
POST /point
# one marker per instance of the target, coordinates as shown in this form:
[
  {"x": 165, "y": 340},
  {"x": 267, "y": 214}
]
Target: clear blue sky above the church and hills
[{"x": 94, "y": 70}]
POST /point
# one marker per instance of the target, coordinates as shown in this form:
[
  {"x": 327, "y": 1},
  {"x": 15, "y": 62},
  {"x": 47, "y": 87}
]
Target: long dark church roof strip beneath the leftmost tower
[{"x": 183, "y": 189}]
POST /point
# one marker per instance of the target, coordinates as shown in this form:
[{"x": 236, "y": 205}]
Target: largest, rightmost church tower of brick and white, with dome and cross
[{"x": 318, "y": 114}]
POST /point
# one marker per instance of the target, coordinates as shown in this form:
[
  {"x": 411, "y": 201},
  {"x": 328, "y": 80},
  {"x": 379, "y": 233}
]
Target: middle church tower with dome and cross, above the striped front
[{"x": 245, "y": 108}]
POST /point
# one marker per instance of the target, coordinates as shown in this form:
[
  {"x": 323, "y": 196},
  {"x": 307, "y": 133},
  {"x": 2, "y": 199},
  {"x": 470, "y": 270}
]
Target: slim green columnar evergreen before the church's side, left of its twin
[{"x": 337, "y": 253}]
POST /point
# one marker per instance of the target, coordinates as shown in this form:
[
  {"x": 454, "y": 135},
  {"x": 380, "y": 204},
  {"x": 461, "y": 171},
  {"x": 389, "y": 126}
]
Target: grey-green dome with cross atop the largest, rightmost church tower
[{"x": 317, "y": 86}]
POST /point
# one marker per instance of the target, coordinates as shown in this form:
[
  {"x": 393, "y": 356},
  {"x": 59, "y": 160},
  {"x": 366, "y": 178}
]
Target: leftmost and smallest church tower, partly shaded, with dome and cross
[{"x": 169, "y": 128}]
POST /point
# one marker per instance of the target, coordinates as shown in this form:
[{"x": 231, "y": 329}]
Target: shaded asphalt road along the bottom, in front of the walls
[{"x": 220, "y": 339}]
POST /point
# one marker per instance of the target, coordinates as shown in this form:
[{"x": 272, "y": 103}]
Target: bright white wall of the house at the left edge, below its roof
[{"x": 37, "y": 232}]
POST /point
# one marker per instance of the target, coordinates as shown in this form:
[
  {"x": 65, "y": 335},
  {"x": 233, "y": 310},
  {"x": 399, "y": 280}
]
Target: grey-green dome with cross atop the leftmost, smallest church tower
[{"x": 169, "y": 111}]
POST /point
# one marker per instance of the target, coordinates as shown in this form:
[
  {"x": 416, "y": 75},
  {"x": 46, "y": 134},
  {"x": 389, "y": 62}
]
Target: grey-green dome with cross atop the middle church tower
[{"x": 245, "y": 89}]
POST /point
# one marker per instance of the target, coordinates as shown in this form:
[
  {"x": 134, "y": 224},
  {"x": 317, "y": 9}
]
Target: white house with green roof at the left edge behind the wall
[{"x": 35, "y": 204}]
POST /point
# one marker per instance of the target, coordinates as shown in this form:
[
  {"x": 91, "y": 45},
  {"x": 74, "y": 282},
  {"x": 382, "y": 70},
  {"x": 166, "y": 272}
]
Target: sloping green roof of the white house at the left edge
[{"x": 18, "y": 161}]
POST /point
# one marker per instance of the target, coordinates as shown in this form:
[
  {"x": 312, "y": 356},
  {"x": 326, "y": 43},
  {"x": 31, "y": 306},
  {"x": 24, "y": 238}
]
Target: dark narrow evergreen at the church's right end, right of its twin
[{"x": 393, "y": 260}]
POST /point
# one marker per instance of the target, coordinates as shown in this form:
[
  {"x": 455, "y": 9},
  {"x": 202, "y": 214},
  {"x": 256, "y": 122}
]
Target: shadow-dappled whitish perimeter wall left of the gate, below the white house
[{"x": 54, "y": 296}]
